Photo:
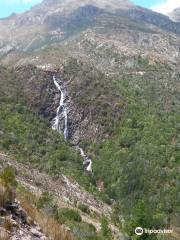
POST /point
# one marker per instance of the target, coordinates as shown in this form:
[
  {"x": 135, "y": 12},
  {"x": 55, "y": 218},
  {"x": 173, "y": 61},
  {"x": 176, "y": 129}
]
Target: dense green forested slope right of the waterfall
[{"x": 140, "y": 163}]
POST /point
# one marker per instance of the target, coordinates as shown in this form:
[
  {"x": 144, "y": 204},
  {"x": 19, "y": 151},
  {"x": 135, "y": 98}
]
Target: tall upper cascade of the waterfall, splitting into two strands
[{"x": 62, "y": 109}]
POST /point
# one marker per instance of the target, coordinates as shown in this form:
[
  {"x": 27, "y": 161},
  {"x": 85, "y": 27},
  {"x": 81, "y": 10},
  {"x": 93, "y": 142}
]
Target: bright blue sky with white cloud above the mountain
[{"x": 8, "y": 7}]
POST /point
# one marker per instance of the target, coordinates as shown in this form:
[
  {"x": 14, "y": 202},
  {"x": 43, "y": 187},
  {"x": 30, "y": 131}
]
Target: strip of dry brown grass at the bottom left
[{"x": 50, "y": 227}]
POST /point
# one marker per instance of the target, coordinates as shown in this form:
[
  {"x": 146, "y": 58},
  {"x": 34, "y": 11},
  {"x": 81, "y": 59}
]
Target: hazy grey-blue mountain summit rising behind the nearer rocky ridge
[{"x": 54, "y": 21}]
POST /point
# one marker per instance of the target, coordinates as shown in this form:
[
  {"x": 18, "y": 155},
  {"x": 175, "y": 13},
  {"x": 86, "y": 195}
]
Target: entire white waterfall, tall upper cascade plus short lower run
[{"x": 62, "y": 109}]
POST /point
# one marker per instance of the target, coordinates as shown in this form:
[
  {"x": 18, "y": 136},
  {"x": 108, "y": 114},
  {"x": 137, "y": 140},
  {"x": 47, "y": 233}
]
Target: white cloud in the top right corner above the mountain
[{"x": 166, "y": 7}]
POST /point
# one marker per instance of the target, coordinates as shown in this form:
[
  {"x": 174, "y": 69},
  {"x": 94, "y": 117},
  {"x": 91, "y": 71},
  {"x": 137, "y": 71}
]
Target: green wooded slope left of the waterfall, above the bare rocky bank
[{"x": 28, "y": 137}]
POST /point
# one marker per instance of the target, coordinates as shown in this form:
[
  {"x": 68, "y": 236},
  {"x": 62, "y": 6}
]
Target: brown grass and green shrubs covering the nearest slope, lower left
[{"x": 44, "y": 210}]
